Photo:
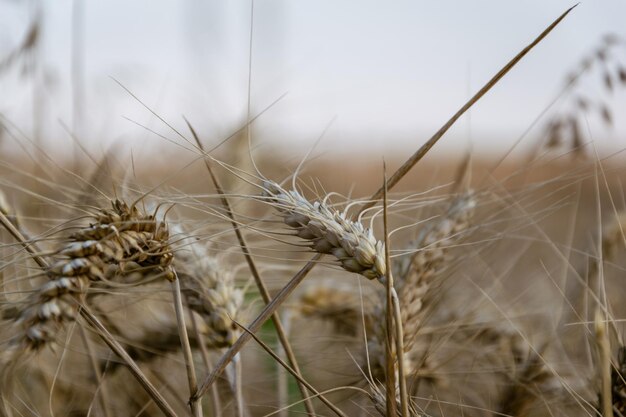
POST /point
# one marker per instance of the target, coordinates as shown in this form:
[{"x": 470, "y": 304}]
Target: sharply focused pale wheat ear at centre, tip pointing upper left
[{"x": 330, "y": 231}]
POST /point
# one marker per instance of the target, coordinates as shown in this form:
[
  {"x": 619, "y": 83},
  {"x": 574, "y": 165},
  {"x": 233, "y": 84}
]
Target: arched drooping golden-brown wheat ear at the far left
[{"x": 119, "y": 241}]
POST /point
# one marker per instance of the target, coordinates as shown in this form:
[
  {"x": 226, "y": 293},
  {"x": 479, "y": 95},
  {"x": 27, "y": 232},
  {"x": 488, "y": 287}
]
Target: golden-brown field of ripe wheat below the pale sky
[{"x": 236, "y": 283}]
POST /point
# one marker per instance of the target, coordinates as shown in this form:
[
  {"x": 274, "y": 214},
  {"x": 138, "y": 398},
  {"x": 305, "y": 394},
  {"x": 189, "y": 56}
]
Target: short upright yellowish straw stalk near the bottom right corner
[{"x": 603, "y": 345}]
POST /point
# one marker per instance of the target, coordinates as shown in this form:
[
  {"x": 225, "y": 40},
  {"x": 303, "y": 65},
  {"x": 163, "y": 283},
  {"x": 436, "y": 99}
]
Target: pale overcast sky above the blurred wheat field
[{"x": 388, "y": 73}]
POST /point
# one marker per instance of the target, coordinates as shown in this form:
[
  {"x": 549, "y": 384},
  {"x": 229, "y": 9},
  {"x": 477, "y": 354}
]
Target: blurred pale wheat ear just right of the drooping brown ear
[{"x": 210, "y": 290}]
